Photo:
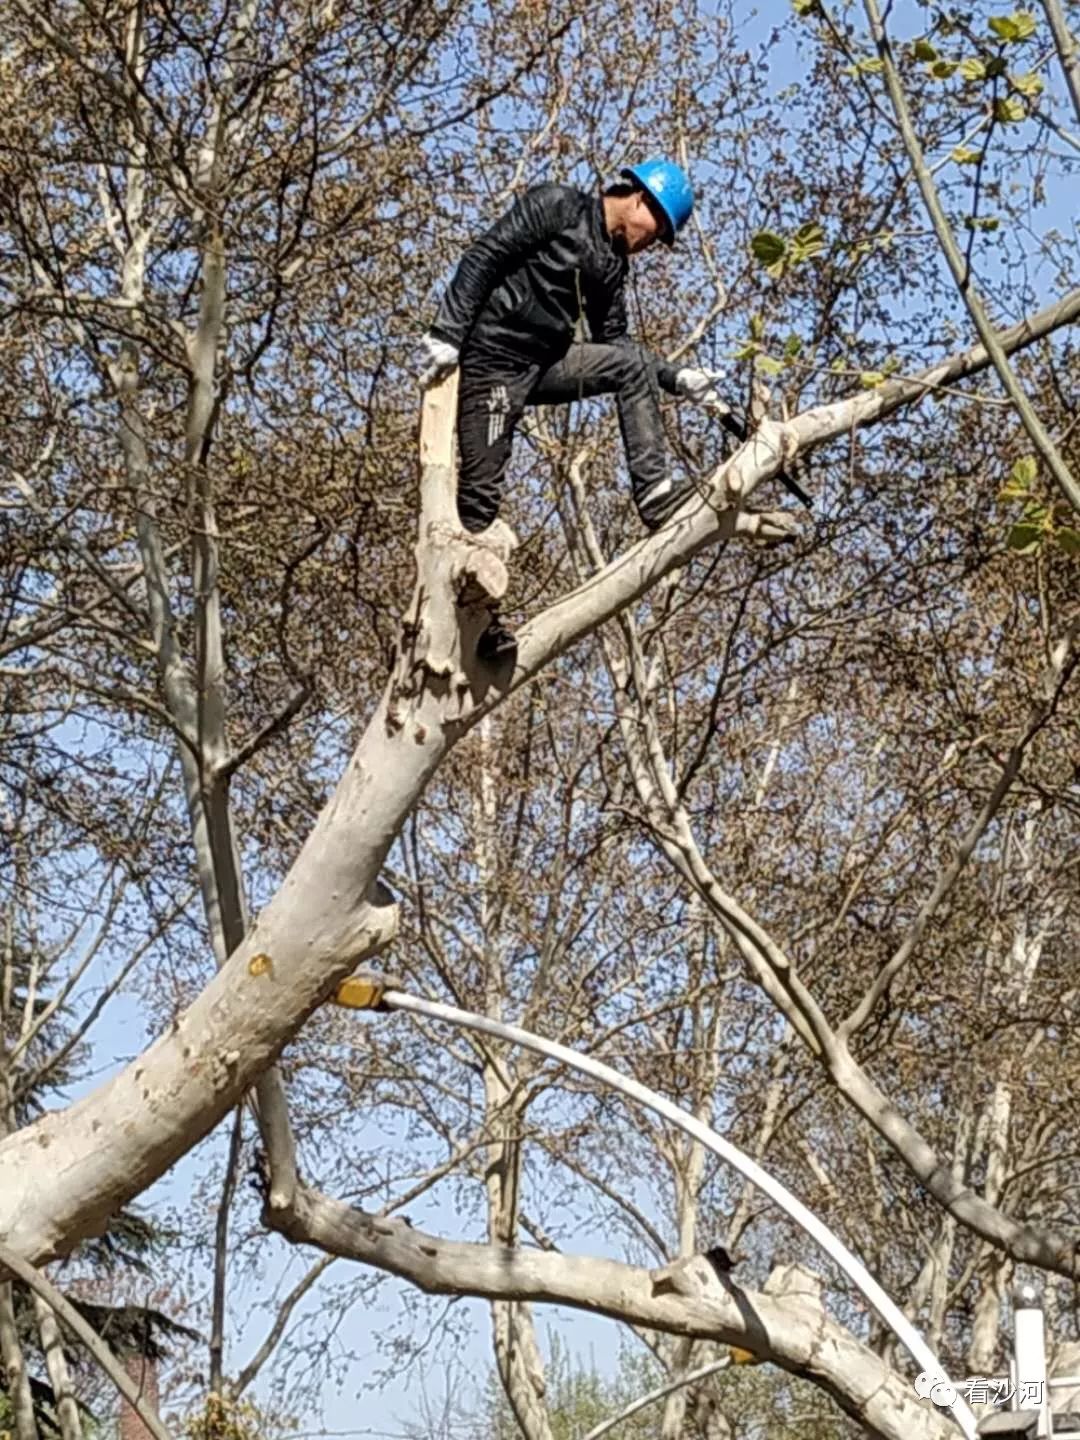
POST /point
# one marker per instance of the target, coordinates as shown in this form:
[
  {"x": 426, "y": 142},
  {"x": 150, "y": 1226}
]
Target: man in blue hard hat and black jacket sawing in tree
[{"x": 552, "y": 267}]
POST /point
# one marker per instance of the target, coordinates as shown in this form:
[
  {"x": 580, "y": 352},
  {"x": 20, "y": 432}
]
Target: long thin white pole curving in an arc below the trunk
[{"x": 833, "y": 1246}]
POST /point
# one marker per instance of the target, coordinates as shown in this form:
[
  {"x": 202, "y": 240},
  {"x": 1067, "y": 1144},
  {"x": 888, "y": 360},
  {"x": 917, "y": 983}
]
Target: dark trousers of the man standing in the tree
[{"x": 493, "y": 395}]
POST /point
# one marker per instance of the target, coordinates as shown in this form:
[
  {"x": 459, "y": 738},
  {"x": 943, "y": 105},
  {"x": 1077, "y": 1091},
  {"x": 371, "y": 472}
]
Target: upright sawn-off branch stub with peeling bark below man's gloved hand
[{"x": 460, "y": 580}]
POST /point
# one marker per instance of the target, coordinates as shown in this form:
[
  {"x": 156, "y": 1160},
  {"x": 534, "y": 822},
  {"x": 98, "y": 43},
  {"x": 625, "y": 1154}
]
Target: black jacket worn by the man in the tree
[{"x": 522, "y": 287}]
